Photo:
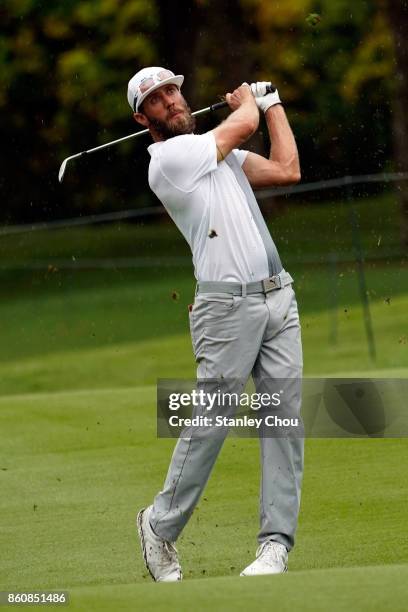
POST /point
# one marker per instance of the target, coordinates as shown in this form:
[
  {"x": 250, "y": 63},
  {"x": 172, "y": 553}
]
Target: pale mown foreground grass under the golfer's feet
[{"x": 75, "y": 467}]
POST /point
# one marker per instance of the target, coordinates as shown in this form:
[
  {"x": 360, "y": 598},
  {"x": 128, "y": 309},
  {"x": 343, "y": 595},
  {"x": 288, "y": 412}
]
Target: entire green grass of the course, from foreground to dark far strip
[{"x": 80, "y": 354}]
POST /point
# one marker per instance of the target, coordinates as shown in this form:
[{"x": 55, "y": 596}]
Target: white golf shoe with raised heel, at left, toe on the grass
[{"x": 160, "y": 556}]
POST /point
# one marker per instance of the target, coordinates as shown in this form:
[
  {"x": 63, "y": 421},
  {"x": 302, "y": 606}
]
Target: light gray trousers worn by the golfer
[{"x": 234, "y": 337}]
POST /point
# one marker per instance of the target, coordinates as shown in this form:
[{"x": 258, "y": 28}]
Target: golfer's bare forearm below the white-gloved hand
[{"x": 283, "y": 145}]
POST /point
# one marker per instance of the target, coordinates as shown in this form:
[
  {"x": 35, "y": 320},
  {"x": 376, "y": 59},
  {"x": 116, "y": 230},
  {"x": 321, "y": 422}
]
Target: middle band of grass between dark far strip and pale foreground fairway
[{"x": 131, "y": 334}]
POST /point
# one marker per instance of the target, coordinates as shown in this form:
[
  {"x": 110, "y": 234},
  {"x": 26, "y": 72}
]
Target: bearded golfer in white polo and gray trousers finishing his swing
[{"x": 244, "y": 319}]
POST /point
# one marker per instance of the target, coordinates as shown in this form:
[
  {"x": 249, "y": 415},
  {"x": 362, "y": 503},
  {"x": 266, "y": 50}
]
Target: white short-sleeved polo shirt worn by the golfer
[{"x": 209, "y": 207}]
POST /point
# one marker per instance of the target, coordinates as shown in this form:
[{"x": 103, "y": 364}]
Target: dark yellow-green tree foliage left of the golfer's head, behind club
[{"x": 64, "y": 70}]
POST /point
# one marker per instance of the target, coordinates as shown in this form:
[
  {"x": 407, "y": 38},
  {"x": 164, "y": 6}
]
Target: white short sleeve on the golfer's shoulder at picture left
[{"x": 185, "y": 159}]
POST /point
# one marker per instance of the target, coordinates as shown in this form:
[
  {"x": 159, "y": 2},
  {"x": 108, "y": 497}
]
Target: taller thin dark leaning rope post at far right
[{"x": 358, "y": 250}]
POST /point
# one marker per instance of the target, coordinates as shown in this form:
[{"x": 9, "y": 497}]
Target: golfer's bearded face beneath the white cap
[{"x": 166, "y": 113}]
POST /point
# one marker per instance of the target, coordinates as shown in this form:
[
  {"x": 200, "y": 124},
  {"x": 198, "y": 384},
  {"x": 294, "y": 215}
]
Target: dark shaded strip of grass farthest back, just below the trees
[{"x": 299, "y": 231}]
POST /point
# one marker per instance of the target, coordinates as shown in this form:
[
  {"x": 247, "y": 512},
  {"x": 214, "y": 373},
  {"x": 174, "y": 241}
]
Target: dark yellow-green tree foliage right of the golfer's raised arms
[{"x": 338, "y": 92}]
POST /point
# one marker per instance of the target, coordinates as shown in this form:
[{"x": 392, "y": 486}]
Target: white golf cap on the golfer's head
[{"x": 147, "y": 80}]
